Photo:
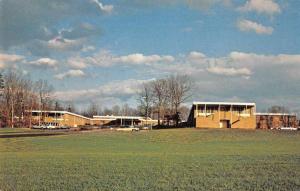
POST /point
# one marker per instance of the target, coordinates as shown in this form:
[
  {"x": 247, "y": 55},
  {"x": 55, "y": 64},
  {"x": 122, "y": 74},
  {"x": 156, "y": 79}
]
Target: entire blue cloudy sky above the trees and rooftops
[{"x": 102, "y": 51}]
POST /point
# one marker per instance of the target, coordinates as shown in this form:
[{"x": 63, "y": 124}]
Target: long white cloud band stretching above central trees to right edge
[{"x": 194, "y": 63}]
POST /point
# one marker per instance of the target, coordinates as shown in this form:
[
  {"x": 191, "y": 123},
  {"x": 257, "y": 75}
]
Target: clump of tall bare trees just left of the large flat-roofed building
[{"x": 164, "y": 97}]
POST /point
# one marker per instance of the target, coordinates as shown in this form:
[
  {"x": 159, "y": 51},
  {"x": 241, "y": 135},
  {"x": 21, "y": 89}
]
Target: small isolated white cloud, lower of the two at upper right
[{"x": 247, "y": 25}]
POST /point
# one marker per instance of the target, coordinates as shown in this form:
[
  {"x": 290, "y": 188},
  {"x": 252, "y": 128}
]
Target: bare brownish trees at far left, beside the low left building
[{"x": 20, "y": 94}]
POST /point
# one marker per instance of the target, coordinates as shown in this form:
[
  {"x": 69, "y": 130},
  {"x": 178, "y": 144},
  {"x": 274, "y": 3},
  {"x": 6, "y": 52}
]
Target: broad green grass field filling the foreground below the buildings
[{"x": 179, "y": 159}]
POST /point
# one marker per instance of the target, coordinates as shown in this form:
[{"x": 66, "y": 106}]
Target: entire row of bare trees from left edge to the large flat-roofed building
[{"x": 19, "y": 95}]
